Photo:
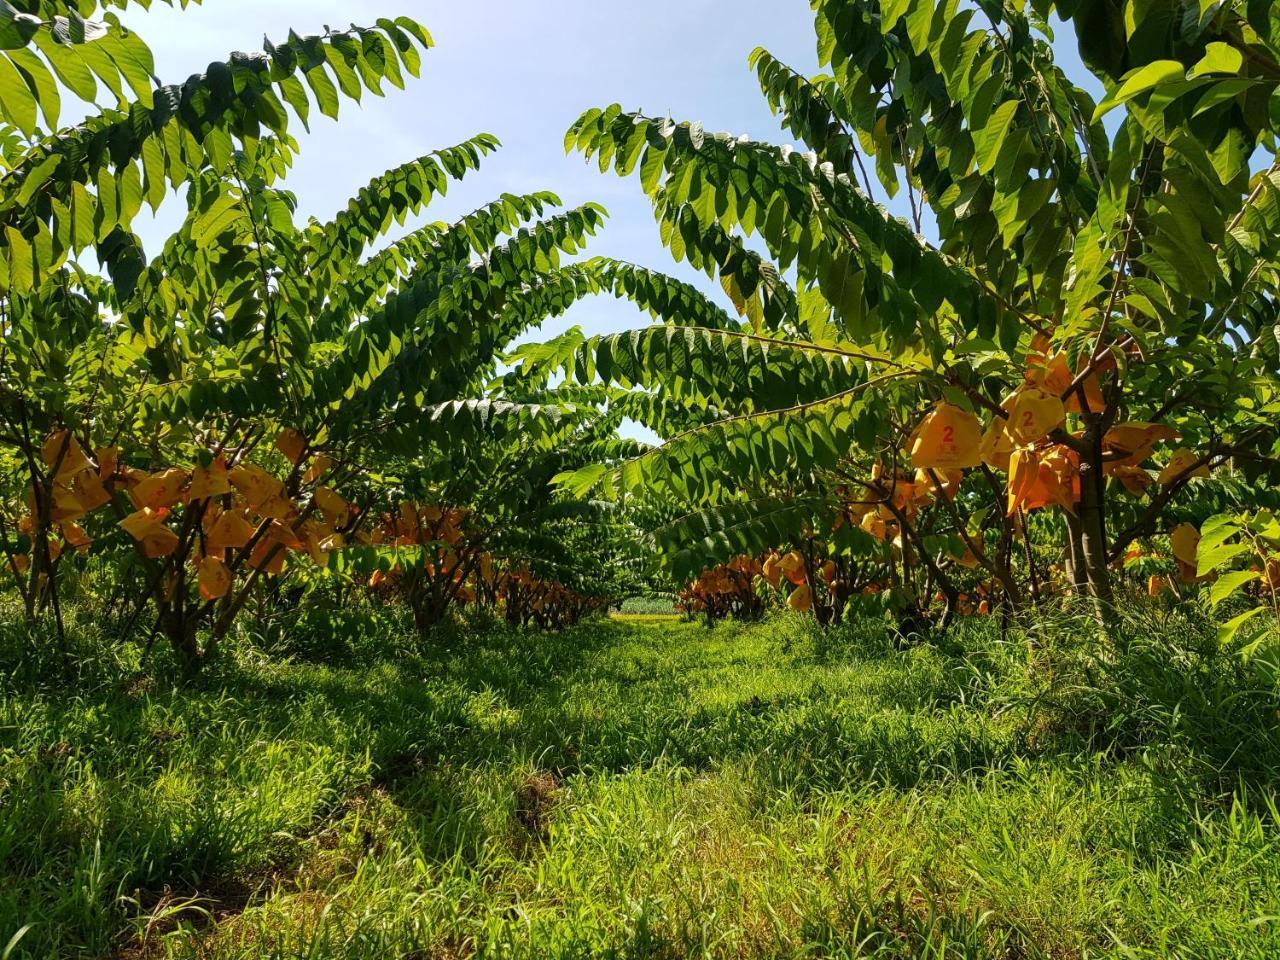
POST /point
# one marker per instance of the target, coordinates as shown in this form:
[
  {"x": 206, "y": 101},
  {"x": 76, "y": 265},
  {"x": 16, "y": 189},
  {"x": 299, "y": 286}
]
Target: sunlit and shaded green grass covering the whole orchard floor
[{"x": 653, "y": 789}]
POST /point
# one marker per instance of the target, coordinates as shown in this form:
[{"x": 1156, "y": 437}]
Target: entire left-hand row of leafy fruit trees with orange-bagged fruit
[{"x": 267, "y": 395}]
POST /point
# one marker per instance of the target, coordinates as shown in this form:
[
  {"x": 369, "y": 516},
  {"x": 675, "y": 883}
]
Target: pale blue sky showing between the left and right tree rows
[{"x": 523, "y": 71}]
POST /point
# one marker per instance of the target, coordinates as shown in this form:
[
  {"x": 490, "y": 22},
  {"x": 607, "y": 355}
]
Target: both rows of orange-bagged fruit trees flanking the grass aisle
[{"x": 1072, "y": 392}]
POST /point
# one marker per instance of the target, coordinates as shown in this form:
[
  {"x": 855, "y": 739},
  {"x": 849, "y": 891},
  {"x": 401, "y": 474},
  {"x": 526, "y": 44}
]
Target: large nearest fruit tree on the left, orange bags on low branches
[{"x": 218, "y": 410}]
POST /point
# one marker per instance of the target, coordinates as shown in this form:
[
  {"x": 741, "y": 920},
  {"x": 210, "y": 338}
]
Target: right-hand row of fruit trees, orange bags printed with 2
[{"x": 1085, "y": 364}]
